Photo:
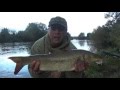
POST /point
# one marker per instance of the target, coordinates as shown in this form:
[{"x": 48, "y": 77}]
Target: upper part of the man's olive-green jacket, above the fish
[{"x": 43, "y": 45}]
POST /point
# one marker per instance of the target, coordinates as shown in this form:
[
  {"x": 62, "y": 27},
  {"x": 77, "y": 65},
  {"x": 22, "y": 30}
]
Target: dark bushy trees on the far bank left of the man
[{"x": 32, "y": 32}]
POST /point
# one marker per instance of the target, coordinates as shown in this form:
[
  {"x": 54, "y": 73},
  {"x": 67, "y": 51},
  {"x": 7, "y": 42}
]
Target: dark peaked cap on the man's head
[{"x": 58, "y": 21}]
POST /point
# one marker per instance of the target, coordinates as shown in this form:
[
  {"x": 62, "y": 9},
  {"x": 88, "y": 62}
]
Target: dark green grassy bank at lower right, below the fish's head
[{"x": 109, "y": 69}]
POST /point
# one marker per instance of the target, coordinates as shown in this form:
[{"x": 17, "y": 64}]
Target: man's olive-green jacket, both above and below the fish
[{"x": 43, "y": 46}]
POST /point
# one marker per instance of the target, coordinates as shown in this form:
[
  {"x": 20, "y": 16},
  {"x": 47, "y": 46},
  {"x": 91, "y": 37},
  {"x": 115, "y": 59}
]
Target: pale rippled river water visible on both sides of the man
[{"x": 23, "y": 49}]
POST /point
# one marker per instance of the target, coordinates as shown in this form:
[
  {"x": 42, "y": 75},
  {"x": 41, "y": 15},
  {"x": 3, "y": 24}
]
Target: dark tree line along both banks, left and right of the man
[{"x": 106, "y": 36}]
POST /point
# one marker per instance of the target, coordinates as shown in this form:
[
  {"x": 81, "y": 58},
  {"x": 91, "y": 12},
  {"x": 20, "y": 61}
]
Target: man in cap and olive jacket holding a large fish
[{"x": 57, "y": 39}]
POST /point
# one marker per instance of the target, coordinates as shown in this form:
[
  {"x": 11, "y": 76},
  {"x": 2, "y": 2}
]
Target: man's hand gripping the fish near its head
[{"x": 80, "y": 66}]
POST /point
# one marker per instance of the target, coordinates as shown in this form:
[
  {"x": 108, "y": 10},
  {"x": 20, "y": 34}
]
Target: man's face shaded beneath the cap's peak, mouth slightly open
[{"x": 57, "y": 34}]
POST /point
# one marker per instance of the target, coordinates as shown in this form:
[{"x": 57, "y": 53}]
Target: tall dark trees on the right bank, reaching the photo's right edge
[{"x": 108, "y": 35}]
